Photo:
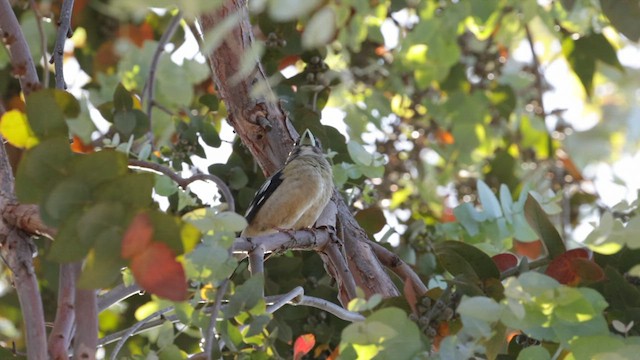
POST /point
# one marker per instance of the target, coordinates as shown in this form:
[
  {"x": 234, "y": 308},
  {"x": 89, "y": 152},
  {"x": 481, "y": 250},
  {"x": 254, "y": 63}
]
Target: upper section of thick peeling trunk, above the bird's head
[{"x": 269, "y": 143}]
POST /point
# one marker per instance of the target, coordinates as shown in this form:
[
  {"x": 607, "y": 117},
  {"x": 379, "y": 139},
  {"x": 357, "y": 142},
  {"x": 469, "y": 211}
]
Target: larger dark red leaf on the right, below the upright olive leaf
[{"x": 569, "y": 268}]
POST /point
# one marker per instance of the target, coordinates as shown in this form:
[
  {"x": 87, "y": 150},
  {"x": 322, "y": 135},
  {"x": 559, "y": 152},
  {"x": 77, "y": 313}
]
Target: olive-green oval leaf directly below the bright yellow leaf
[{"x": 41, "y": 168}]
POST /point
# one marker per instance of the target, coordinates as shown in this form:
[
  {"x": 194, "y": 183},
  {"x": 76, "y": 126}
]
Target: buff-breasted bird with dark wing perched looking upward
[{"x": 294, "y": 197}]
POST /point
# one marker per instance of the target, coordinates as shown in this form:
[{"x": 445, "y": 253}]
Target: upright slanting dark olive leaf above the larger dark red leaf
[{"x": 540, "y": 223}]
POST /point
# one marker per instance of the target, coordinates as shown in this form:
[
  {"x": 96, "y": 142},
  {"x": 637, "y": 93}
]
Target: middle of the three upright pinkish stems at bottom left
[{"x": 60, "y": 337}]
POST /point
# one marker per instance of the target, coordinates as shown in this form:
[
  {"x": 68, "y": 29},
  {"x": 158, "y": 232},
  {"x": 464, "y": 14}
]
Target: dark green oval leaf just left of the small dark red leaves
[{"x": 460, "y": 258}]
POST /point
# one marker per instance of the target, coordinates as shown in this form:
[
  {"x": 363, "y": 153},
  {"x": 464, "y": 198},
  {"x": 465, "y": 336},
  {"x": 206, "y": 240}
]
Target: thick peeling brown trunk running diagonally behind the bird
[{"x": 267, "y": 132}]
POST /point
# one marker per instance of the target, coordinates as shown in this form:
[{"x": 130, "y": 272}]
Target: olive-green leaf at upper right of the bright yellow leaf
[{"x": 45, "y": 114}]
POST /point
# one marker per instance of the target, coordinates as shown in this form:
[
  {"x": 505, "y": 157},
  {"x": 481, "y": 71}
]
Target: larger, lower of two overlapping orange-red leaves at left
[{"x": 157, "y": 271}]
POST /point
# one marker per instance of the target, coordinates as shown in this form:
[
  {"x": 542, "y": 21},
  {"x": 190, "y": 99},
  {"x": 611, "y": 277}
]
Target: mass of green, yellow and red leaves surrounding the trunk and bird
[{"x": 439, "y": 120}]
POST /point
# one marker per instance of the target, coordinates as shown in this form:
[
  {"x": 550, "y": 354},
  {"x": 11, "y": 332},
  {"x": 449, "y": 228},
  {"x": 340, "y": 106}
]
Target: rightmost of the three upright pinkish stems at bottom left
[{"x": 85, "y": 340}]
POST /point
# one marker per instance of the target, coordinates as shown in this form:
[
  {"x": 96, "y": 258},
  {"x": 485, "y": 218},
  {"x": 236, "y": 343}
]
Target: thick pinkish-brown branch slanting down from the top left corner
[{"x": 23, "y": 67}]
